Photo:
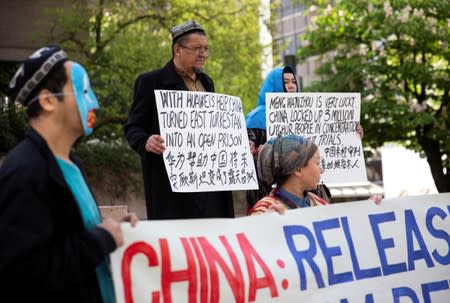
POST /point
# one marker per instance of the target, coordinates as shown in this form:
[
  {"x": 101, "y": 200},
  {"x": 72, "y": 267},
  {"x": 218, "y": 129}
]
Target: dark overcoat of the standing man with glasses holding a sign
[{"x": 161, "y": 201}]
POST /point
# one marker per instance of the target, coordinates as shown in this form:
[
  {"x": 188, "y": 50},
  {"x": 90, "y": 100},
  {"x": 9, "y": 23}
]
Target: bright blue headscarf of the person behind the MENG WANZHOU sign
[{"x": 273, "y": 83}]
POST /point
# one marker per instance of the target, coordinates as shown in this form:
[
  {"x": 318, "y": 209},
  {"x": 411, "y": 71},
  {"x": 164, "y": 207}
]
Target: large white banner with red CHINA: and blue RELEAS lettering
[{"x": 397, "y": 252}]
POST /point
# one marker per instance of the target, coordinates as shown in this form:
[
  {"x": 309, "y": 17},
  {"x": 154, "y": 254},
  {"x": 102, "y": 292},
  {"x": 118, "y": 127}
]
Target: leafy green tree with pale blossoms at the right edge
[{"x": 396, "y": 54}]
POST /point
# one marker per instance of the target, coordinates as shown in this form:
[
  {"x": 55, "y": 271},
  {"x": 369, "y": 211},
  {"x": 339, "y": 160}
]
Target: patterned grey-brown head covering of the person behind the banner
[{"x": 281, "y": 156}]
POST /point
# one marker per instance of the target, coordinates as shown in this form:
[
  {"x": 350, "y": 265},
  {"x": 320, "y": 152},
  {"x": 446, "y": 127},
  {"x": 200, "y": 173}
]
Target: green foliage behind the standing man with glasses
[{"x": 117, "y": 40}]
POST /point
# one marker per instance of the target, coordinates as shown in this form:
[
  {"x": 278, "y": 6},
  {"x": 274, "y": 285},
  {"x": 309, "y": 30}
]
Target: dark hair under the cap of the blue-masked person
[{"x": 54, "y": 83}]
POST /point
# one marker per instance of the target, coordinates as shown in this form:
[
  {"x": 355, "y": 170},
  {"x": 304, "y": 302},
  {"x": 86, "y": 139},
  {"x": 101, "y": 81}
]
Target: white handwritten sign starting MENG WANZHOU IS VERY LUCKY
[{"x": 330, "y": 120}]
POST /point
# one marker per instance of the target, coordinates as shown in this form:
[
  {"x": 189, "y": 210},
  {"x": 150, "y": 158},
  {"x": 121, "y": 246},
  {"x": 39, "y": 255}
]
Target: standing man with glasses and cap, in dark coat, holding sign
[{"x": 183, "y": 72}]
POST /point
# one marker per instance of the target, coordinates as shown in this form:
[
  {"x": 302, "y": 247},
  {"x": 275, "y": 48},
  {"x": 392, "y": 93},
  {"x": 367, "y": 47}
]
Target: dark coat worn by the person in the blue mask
[{"x": 46, "y": 253}]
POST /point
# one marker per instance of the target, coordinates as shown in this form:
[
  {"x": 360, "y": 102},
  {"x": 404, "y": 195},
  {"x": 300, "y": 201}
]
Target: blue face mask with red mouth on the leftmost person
[{"x": 86, "y": 101}]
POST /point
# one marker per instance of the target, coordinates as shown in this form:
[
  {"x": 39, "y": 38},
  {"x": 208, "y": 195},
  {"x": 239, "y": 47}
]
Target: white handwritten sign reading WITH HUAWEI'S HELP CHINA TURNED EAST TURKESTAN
[{"x": 206, "y": 141}]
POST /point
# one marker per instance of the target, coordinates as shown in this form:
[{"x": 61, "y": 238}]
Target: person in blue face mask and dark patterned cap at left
[{"x": 54, "y": 246}]
